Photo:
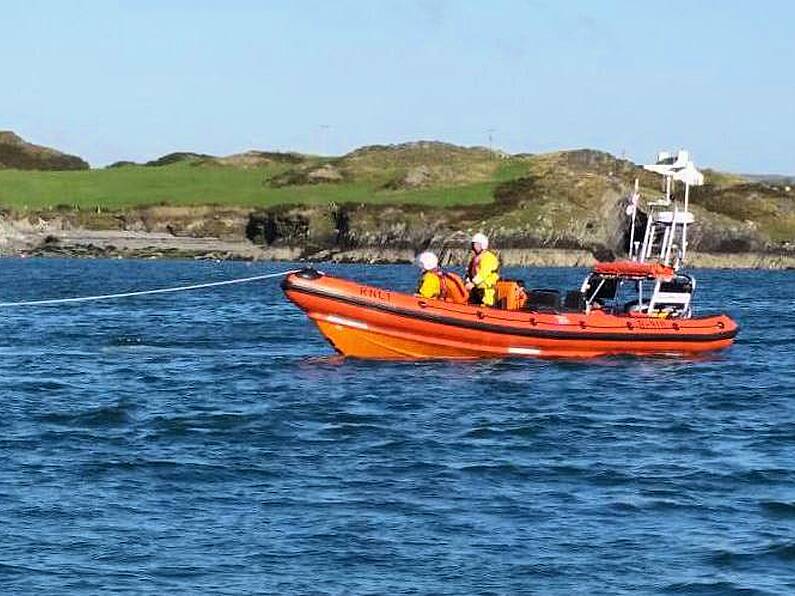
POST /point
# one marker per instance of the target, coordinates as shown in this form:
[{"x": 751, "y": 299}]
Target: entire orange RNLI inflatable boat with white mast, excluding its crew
[{"x": 640, "y": 306}]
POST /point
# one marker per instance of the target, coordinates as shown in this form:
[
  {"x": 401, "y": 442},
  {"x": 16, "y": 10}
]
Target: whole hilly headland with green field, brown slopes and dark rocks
[{"x": 408, "y": 195}]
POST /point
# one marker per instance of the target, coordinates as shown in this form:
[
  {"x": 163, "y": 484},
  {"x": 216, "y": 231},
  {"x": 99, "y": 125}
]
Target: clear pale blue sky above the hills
[{"x": 113, "y": 80}]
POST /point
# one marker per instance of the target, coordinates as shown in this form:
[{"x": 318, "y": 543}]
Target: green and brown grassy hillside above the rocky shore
[{"x": 562, "y": 199}]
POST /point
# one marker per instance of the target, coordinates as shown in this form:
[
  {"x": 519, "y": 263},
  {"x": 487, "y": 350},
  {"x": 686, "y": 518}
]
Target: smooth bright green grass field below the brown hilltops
[{"x": 184, "y": 184}]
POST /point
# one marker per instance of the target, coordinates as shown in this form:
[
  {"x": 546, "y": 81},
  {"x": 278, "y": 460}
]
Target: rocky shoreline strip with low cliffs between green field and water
[{"x": 343, "y": 235}]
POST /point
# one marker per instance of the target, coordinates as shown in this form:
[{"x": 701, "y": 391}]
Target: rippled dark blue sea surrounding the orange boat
[{"x": 210, "y": 442}]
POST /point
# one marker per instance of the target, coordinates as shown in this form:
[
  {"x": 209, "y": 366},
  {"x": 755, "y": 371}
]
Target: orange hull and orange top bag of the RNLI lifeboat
[{"x": 369, "y": 322}]
